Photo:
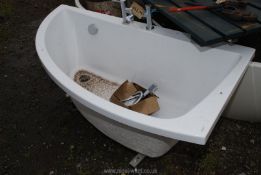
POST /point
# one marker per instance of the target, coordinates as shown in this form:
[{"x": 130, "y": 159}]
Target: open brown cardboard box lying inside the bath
[{"x": 148, "y": 105}]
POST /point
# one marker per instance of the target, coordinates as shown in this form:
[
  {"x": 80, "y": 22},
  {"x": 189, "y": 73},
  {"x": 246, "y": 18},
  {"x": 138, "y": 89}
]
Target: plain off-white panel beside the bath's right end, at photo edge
[{"x": 246, "y": 103}]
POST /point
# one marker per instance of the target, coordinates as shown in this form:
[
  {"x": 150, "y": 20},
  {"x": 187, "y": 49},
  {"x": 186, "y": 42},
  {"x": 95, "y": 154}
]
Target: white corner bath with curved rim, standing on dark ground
[{"x": 194, "y": 83}]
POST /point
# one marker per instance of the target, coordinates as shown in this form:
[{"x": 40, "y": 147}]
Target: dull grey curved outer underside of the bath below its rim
[{"x": 140, "y": 141}]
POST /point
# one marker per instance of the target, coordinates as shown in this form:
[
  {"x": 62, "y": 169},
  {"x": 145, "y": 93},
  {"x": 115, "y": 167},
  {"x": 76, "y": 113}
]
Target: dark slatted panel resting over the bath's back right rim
[{"x": 208, "y": 27}]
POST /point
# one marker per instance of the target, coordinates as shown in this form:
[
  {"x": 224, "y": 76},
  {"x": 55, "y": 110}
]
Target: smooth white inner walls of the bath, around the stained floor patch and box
[{"x": 181, "y": 85}]
